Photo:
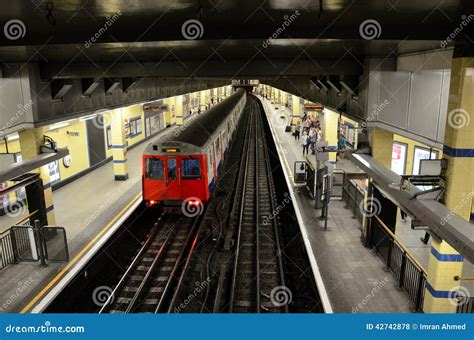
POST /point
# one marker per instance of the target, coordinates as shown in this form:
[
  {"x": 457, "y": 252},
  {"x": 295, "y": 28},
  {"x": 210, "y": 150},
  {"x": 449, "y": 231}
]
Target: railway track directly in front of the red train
[{"x": 152, "y": 281}]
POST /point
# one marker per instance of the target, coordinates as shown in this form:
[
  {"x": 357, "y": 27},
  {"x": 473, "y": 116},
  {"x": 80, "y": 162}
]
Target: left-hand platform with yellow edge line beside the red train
[{"x": 90, "y": 209}]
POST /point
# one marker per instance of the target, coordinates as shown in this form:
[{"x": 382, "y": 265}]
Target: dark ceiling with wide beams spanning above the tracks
[{"x": 139, "y": 35}]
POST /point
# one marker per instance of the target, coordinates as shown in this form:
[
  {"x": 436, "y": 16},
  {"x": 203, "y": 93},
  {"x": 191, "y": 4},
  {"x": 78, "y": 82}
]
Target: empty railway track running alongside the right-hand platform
[{"x": 257, "y": 268}]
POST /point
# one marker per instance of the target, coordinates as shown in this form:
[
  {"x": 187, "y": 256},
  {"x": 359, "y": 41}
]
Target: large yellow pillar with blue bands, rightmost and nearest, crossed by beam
[{"x": 445, "y": 262}]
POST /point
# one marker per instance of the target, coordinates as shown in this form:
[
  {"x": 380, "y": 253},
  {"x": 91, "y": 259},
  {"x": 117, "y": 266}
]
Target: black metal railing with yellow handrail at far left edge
[{"x": 14, "y": 242}]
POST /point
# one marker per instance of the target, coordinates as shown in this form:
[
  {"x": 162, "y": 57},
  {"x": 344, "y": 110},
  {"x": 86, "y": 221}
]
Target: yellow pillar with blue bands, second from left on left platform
[{"x": 119, "y": 144}]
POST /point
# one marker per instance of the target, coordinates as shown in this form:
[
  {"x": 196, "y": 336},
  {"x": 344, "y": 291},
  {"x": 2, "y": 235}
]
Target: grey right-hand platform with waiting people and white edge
[{"x": 353, "y": 276}]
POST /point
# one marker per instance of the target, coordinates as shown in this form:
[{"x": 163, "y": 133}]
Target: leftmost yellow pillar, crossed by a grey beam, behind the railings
[{"x": 30, "y": 145}]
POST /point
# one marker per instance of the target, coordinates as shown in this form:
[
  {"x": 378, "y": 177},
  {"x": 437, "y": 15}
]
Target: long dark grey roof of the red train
[{"x": 195, "y": 131}]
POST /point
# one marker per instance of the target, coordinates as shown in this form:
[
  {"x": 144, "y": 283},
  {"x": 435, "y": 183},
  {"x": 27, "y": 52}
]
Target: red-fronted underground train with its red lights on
[{"x": 183, "y": 166}]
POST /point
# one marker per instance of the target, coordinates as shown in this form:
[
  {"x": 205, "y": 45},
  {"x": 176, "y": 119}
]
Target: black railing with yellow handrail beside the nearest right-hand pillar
[{"x": 409, "y": 273}]
